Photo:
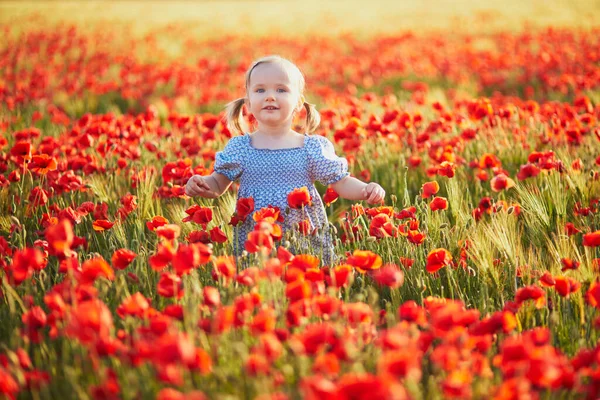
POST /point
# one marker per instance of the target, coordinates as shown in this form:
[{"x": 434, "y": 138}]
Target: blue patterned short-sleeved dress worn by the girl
[{"x": 269, "y": 175}]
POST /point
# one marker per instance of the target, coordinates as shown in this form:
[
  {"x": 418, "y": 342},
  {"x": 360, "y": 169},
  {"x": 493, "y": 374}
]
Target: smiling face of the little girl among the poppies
[{"x": 272, "y": 96}]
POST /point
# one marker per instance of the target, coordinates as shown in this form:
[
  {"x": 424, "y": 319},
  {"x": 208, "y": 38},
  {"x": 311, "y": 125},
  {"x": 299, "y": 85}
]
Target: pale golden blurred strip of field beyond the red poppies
[{"x": 215, "y": 18}]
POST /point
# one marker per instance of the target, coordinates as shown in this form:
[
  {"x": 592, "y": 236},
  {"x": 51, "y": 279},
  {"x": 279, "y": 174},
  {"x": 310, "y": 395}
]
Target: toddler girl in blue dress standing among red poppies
[{"x": 274, "y": 160}]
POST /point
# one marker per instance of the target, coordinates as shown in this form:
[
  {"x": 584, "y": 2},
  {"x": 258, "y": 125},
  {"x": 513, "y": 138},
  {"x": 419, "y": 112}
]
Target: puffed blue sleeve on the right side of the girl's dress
[{"x": 325, "y": 166}]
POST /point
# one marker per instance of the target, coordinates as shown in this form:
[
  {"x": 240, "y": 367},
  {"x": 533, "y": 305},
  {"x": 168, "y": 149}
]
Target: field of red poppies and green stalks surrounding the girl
[{"x": 477, "y": 278}]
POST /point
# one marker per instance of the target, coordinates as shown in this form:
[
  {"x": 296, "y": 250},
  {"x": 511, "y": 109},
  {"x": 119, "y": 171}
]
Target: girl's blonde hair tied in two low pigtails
[{"x": 233, "y": 110}]
